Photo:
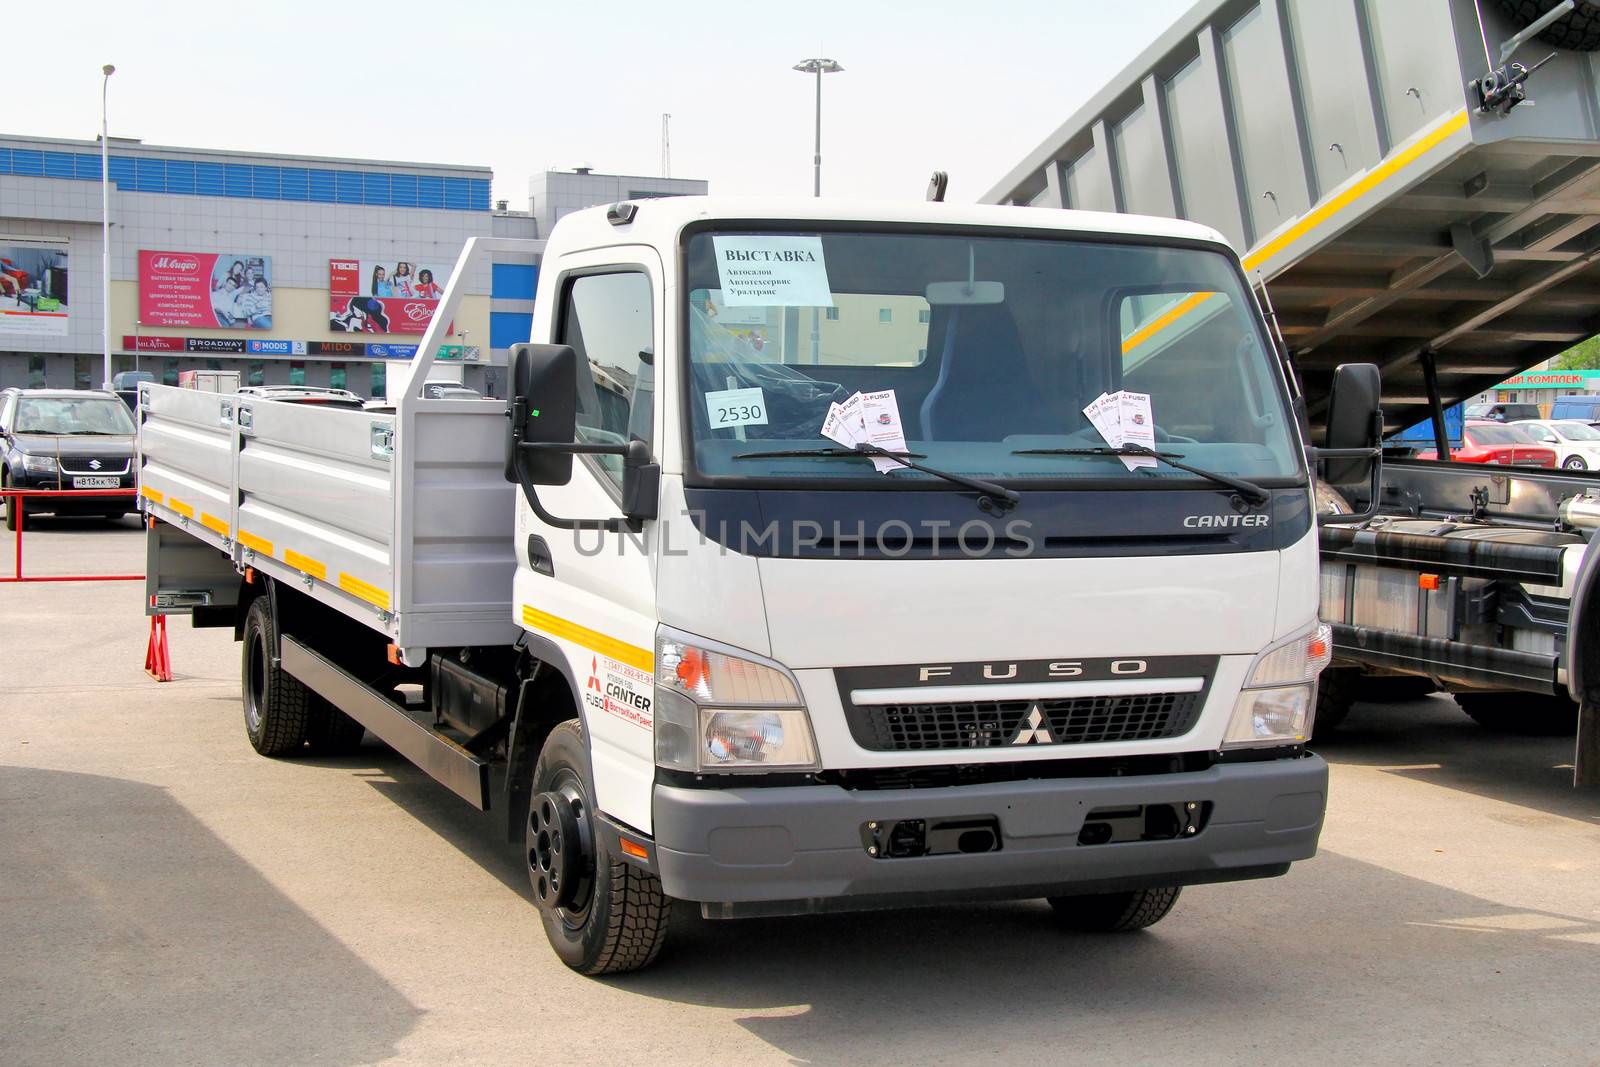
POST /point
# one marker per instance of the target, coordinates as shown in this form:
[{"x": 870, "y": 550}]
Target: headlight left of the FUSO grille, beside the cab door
[{"x": 719, "y": 711}]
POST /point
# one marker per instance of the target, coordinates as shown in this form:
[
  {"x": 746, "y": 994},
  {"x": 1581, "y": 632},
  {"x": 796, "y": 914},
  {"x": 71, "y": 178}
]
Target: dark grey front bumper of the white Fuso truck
[{"x": 783, "y": 850}]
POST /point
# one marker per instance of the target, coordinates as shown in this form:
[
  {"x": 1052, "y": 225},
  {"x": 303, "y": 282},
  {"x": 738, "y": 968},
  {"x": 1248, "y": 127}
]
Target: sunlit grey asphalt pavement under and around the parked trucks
[{"x": 167, "y": 897}]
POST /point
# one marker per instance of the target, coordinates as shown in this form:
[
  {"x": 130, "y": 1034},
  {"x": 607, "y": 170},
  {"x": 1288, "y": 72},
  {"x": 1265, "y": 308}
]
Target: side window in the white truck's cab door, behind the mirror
[{"x": 607, "y": 321}]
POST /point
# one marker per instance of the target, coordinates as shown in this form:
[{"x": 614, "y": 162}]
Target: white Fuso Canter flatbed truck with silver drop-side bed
[{"x": 721, "y": 658}]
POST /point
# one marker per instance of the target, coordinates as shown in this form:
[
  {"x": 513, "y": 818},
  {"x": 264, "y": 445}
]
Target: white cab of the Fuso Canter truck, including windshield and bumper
[{"x": 815, "y": 677}]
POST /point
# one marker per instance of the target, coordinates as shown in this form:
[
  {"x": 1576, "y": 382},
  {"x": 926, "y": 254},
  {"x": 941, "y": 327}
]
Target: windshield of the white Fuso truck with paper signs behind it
[{"x": 978, "y": 356}]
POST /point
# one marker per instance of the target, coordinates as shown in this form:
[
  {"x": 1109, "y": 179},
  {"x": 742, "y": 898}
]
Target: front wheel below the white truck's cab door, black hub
[{"x": 602, "y": 916}]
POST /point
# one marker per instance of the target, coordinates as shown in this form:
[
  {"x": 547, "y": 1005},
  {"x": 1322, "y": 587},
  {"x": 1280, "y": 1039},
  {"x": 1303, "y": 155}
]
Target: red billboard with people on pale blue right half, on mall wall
[{"x": 210, "y": 290}]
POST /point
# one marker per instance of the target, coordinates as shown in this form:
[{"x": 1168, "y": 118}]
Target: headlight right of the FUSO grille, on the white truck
[{"x": 1279, "y": 698}]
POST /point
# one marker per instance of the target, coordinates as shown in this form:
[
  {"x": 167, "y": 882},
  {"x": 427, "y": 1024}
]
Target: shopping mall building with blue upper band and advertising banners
[{"x": 286, "y": 270}]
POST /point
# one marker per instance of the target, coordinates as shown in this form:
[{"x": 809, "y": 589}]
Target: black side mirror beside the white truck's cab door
[{"x": 543, "y": 412}]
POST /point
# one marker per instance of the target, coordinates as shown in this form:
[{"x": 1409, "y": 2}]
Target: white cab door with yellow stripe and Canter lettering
[{"x": 585, "y": 596}]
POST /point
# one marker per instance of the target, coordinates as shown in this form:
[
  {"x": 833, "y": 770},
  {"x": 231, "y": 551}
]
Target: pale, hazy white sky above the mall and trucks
[{"x": 526, "y": 87}]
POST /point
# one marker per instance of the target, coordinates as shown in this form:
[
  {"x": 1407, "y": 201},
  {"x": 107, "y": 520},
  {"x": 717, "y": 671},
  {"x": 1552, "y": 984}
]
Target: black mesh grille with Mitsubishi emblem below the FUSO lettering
[{"x": 999, "y": 724}]
